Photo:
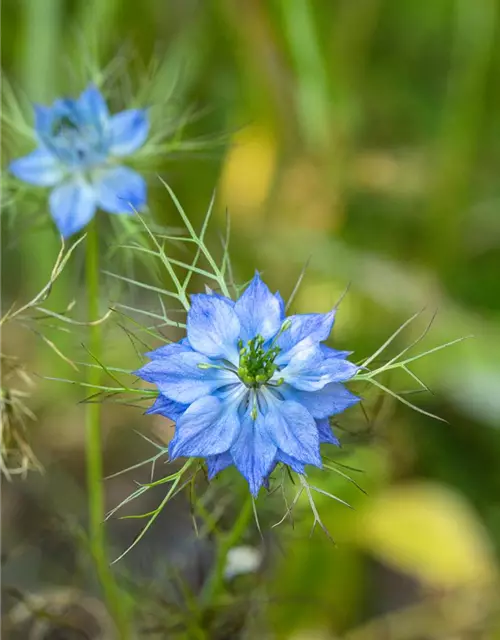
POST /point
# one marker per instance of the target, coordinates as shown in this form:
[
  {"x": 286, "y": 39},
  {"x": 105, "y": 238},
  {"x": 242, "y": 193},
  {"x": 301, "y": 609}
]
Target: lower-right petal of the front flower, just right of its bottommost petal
[{"x": 293, "y": 430}]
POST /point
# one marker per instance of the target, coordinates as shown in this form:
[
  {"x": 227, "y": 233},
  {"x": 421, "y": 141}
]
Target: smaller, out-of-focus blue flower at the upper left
[{"x": 79, "y": 147}]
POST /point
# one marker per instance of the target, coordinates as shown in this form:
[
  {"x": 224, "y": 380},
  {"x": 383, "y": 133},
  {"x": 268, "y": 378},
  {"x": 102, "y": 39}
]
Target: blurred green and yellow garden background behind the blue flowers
[{"x": 364, "y": 135}]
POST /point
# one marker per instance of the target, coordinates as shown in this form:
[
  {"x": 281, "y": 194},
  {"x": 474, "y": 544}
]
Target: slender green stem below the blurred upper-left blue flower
[{"x": 94, "y": 448}]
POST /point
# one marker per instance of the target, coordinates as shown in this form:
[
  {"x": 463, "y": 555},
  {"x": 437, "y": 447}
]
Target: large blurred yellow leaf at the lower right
[{"x": 430, "y": 532}]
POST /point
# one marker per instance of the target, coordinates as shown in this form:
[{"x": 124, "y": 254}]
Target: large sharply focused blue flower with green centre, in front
[{"x": 250, "y": 387}]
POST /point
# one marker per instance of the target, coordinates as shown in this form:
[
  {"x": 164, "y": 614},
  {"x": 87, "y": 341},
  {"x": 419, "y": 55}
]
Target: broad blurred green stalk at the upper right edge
[{"x": 473, "y": 50}]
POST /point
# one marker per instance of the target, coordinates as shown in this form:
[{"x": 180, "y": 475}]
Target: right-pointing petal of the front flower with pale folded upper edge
[{"x": 309, "y": 370}]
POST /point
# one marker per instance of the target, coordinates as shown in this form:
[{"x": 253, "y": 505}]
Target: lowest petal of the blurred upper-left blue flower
[{"x": 72, "y": 205}]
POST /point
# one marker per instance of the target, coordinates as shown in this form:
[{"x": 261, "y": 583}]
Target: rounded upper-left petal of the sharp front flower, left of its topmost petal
[{"x": 213, "y": 327}]
